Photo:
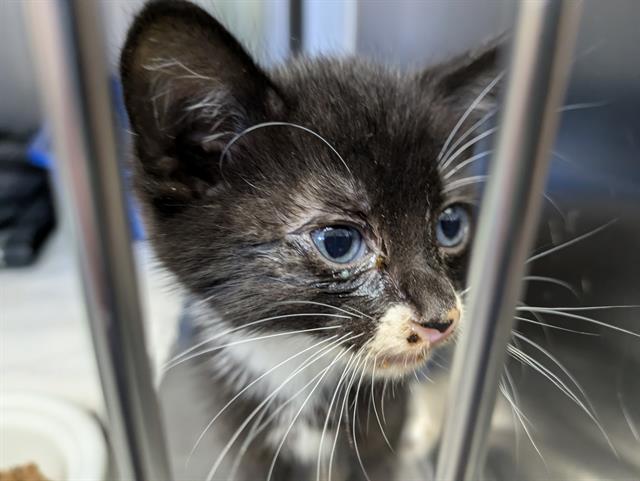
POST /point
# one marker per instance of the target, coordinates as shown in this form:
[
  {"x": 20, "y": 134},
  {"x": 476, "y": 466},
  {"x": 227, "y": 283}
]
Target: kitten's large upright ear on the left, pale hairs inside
[{"x": 189, "y": 87}]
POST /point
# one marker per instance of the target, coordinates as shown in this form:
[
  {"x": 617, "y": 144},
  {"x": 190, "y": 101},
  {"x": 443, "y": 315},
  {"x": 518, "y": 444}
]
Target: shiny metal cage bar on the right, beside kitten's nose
[{"x": 540, "y": 63}]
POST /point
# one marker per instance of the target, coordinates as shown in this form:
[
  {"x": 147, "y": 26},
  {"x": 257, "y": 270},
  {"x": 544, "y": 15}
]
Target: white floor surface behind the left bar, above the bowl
[{"x": 45, "y": 343}]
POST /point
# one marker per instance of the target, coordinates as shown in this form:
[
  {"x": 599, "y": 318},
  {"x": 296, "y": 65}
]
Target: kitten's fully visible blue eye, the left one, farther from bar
[{"x": 339, "y": 243}]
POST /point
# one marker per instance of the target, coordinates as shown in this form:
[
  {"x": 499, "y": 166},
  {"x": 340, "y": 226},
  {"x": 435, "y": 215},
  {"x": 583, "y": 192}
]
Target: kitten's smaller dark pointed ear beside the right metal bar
[{"x": 473, "y": 76}]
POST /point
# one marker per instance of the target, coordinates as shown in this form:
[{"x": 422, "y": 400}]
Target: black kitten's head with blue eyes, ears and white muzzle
[{"x": 312, "y": 196}]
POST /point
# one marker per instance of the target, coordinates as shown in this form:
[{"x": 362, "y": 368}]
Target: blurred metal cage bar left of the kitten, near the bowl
[{"x": 73, "y": 73}]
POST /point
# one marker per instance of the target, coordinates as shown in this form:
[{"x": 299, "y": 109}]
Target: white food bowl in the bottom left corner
[{"x": 65, "y": 442}]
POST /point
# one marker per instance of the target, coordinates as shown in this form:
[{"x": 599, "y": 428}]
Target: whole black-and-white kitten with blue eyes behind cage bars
[{"x": 312, "y": 216}]
